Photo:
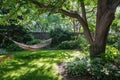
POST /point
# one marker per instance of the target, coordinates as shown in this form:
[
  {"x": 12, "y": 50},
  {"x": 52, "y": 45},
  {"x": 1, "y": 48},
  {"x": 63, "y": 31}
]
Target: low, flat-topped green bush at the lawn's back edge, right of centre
[{"x": 68, "y": 45}]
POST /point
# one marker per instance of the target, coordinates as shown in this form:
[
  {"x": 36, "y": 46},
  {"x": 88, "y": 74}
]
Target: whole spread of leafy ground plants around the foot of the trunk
[{"x": 96, "y": 68}]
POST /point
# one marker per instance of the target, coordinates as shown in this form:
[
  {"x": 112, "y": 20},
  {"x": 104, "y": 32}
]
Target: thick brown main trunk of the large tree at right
[{"x": 105, "y": 16}]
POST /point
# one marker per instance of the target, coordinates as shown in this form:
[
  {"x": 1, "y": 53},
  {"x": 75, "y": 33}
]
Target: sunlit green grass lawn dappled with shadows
[{"x": 39, "y": 65}]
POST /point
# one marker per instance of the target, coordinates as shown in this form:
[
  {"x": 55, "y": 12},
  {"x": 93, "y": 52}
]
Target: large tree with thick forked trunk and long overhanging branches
[{"x": 105, "y": 12}]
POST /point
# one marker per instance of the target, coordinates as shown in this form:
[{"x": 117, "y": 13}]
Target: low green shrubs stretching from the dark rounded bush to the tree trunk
[{"x": 78, "y": 42}]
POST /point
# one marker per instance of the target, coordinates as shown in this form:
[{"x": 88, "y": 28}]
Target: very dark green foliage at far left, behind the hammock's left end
[{"x": 15, "y": 32}]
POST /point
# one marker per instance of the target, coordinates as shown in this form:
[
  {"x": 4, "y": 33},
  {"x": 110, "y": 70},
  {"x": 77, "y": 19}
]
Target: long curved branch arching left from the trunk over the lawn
[{"x": 72, "y": 14}]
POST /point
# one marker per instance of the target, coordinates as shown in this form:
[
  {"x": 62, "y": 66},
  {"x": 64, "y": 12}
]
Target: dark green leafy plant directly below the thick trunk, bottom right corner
[{"x": 102, "y": 70}]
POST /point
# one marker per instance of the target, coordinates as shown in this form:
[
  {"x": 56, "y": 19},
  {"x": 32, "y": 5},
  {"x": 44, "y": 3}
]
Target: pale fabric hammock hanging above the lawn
[{"x": 33, "y": 47}]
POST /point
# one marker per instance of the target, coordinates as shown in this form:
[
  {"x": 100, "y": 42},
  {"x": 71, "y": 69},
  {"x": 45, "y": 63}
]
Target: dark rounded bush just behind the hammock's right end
[{"x": 58, "y": 34}]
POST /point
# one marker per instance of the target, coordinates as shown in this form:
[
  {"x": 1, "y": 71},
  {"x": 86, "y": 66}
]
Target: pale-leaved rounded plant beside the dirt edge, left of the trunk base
[{"x": 78, "y": 67}]
